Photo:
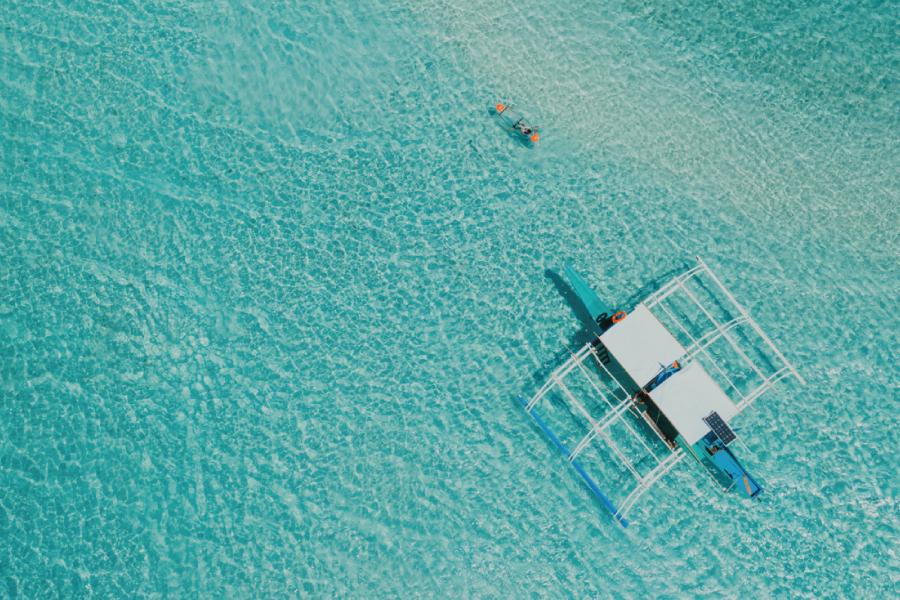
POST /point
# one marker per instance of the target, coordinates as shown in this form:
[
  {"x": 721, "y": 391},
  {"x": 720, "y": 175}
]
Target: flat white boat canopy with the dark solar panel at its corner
[{"x": 688, "y": 396}]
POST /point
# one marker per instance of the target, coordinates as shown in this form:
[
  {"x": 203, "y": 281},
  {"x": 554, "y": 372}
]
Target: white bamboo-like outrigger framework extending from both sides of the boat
[{"x": 618, "y": 408}]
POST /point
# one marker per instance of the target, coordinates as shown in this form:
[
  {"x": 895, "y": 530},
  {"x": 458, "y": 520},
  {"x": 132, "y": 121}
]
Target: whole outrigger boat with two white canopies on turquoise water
[{"x": 652, "y": 386}]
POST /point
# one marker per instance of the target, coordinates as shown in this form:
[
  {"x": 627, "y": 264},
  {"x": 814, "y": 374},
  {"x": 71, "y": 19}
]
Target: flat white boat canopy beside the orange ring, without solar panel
[{"x": 642, "y": 345}]
